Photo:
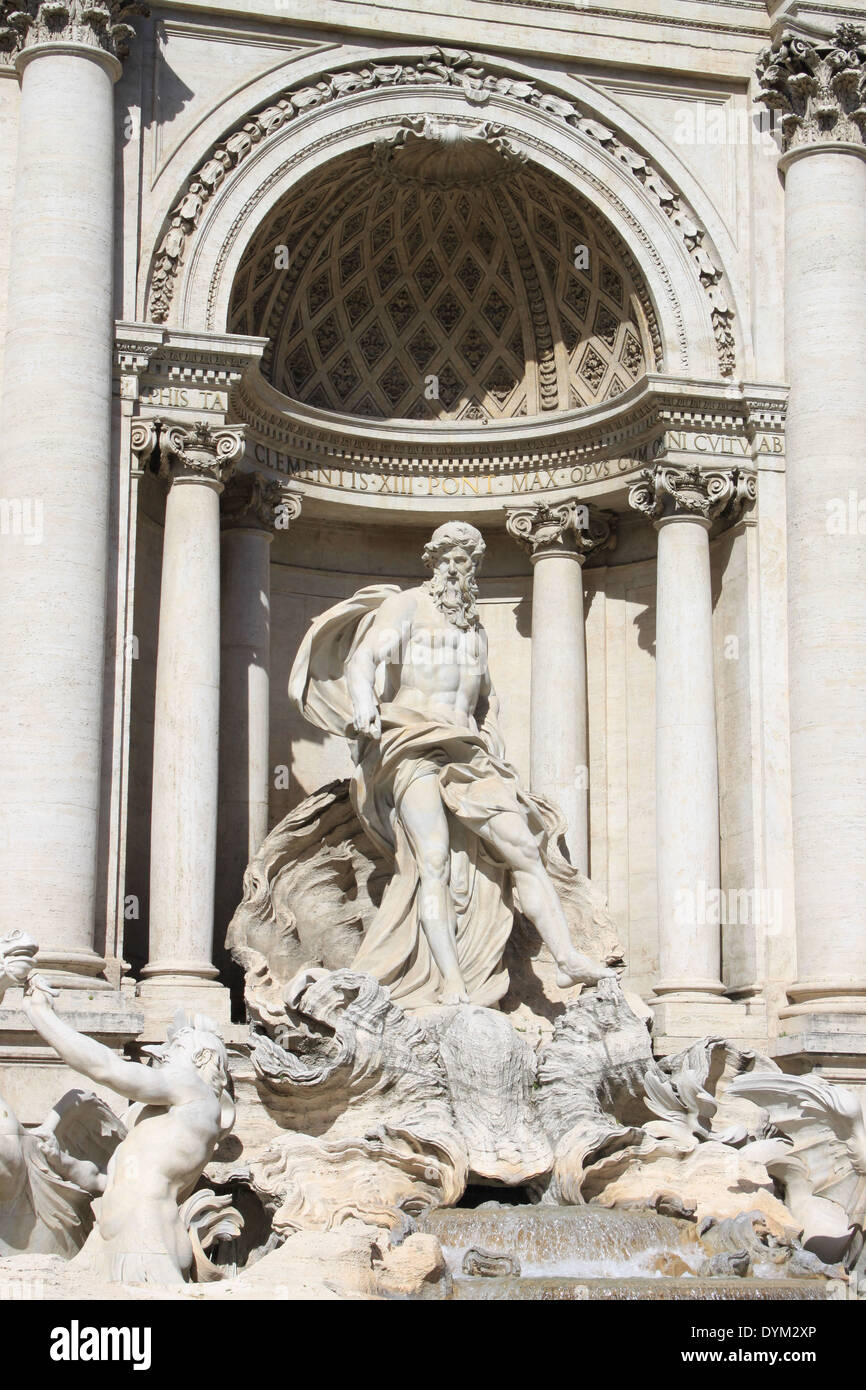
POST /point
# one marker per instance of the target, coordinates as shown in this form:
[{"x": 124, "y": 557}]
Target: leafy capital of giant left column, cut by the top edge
[{"x": 95, "y": 24}]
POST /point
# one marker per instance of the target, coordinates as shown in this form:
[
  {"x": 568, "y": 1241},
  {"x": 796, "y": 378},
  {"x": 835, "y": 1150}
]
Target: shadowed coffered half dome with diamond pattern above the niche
[{"x": 439, "y": 276}]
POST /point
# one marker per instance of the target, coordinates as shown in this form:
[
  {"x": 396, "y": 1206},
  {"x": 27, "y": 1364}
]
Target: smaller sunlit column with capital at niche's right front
[{"x": 683, "y": 504}]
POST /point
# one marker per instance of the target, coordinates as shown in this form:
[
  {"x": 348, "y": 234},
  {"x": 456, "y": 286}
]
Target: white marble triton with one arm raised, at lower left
[{"x": 181, "y": 1109}]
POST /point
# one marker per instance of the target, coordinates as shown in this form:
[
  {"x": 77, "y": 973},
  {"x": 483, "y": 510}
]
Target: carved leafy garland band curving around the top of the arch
[{"x": 436, "y": 69}]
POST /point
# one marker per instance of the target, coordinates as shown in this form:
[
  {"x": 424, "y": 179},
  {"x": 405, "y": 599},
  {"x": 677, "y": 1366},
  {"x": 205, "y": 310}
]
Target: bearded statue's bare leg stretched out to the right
[{"x": 512, "y": 839}]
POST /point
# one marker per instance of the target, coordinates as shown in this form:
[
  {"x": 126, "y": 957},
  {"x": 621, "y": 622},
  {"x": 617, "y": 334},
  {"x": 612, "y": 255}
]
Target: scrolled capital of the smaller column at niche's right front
[{"x": 669, "y": 493}]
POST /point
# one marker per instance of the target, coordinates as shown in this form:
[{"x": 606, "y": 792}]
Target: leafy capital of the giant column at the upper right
[{"x": 818, "y": 85}]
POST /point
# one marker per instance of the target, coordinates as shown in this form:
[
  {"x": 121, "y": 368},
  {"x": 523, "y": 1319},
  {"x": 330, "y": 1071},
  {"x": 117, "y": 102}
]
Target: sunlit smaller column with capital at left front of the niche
[{"x": 195, "y": 462}]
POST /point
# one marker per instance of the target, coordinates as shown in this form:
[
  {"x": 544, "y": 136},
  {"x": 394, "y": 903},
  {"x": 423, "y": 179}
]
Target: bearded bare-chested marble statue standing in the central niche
[{"x": 404, "y": 676}]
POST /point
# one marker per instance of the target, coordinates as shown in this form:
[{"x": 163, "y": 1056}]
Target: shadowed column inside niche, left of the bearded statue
[{"x": 252, "y": 511}]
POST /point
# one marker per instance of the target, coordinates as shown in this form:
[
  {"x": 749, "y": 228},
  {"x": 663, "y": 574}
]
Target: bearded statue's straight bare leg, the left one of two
[{"x": 426, "y": 825}]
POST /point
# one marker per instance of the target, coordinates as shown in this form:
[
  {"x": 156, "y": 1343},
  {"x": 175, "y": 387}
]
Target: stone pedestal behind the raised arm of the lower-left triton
[{"x": 33, "y": 1078}]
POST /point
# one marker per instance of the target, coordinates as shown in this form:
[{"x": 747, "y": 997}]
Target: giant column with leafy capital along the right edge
[{"x": 819, "y": 87}]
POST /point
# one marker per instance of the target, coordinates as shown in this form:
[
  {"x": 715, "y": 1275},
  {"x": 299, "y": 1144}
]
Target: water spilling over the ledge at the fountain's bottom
[{"x": 591, "y": 1253}]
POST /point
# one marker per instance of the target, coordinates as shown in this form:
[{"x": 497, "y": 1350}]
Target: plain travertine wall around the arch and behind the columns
[{"x": 680, "y": 92}]
